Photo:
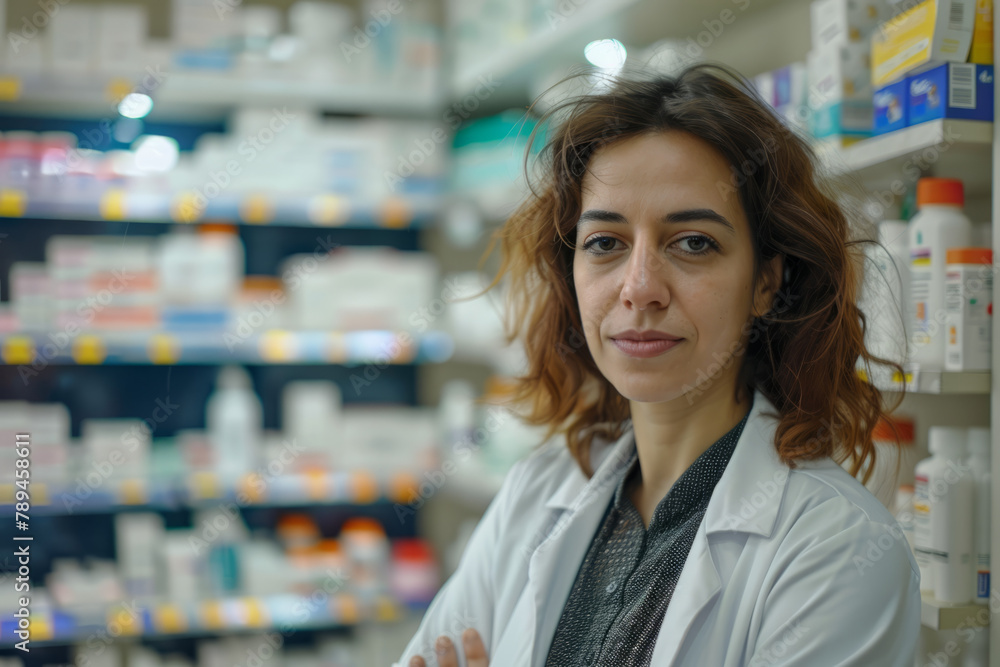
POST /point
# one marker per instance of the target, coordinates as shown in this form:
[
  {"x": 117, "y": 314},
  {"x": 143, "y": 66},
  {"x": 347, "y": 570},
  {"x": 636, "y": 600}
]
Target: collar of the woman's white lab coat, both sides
[{"x": 747, "y": 498}]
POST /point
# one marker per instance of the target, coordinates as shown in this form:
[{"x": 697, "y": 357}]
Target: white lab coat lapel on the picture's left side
[{"x": 575, "y": 510}]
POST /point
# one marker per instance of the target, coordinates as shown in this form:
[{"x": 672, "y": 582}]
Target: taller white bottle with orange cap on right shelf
[{"x": 938, "y": 225}]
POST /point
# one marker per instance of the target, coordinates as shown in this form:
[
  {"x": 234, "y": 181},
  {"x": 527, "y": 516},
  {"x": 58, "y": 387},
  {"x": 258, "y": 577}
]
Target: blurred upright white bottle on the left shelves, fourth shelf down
[{"x": 235, "y": 424}]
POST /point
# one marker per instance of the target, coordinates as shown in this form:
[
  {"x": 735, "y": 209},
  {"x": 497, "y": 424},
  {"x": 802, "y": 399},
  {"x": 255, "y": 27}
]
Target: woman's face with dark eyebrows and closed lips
[{"x": 663, "y": 246}]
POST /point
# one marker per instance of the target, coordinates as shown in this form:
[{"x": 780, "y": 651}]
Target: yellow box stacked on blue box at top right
[{"x": 934, "y": 31}]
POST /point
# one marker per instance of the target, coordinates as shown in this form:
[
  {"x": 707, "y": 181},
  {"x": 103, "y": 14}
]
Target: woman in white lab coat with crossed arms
[{"x": 699, "y": 512}]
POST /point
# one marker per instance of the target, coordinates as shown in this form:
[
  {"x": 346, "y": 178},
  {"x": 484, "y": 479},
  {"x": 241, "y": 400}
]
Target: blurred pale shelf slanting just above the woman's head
[{"x": 506, "y": 78}]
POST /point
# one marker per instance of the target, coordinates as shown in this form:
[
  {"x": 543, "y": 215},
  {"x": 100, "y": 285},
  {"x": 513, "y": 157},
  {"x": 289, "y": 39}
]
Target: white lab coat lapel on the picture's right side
[{"x": 746, "y": 499}]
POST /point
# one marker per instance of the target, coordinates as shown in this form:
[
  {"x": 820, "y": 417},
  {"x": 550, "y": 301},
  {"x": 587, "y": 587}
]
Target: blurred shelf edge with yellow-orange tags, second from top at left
[{"x": 326, "y": 210}]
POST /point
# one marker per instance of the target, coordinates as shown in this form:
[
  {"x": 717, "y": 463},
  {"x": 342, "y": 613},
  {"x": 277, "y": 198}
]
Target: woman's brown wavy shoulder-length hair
[{"x": 802, "y": 354}]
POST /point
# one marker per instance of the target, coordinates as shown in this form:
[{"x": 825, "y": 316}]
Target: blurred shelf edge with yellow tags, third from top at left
[{"x": 222, "y": 346}]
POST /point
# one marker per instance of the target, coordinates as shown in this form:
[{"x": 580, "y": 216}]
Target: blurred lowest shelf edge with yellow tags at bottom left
[{"x": 286, "y": 613}]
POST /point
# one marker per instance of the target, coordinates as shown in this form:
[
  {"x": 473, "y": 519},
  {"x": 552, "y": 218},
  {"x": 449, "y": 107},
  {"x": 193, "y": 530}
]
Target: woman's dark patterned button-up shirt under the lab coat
[{"x": 615, "y": 609}]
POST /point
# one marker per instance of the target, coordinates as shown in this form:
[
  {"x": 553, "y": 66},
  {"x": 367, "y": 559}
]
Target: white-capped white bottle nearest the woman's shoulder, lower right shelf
[{"x": 950, "y": 491}]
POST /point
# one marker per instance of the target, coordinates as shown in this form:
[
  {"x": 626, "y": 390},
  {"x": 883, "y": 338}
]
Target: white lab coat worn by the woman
[{"x": 789, "y": 567}]
